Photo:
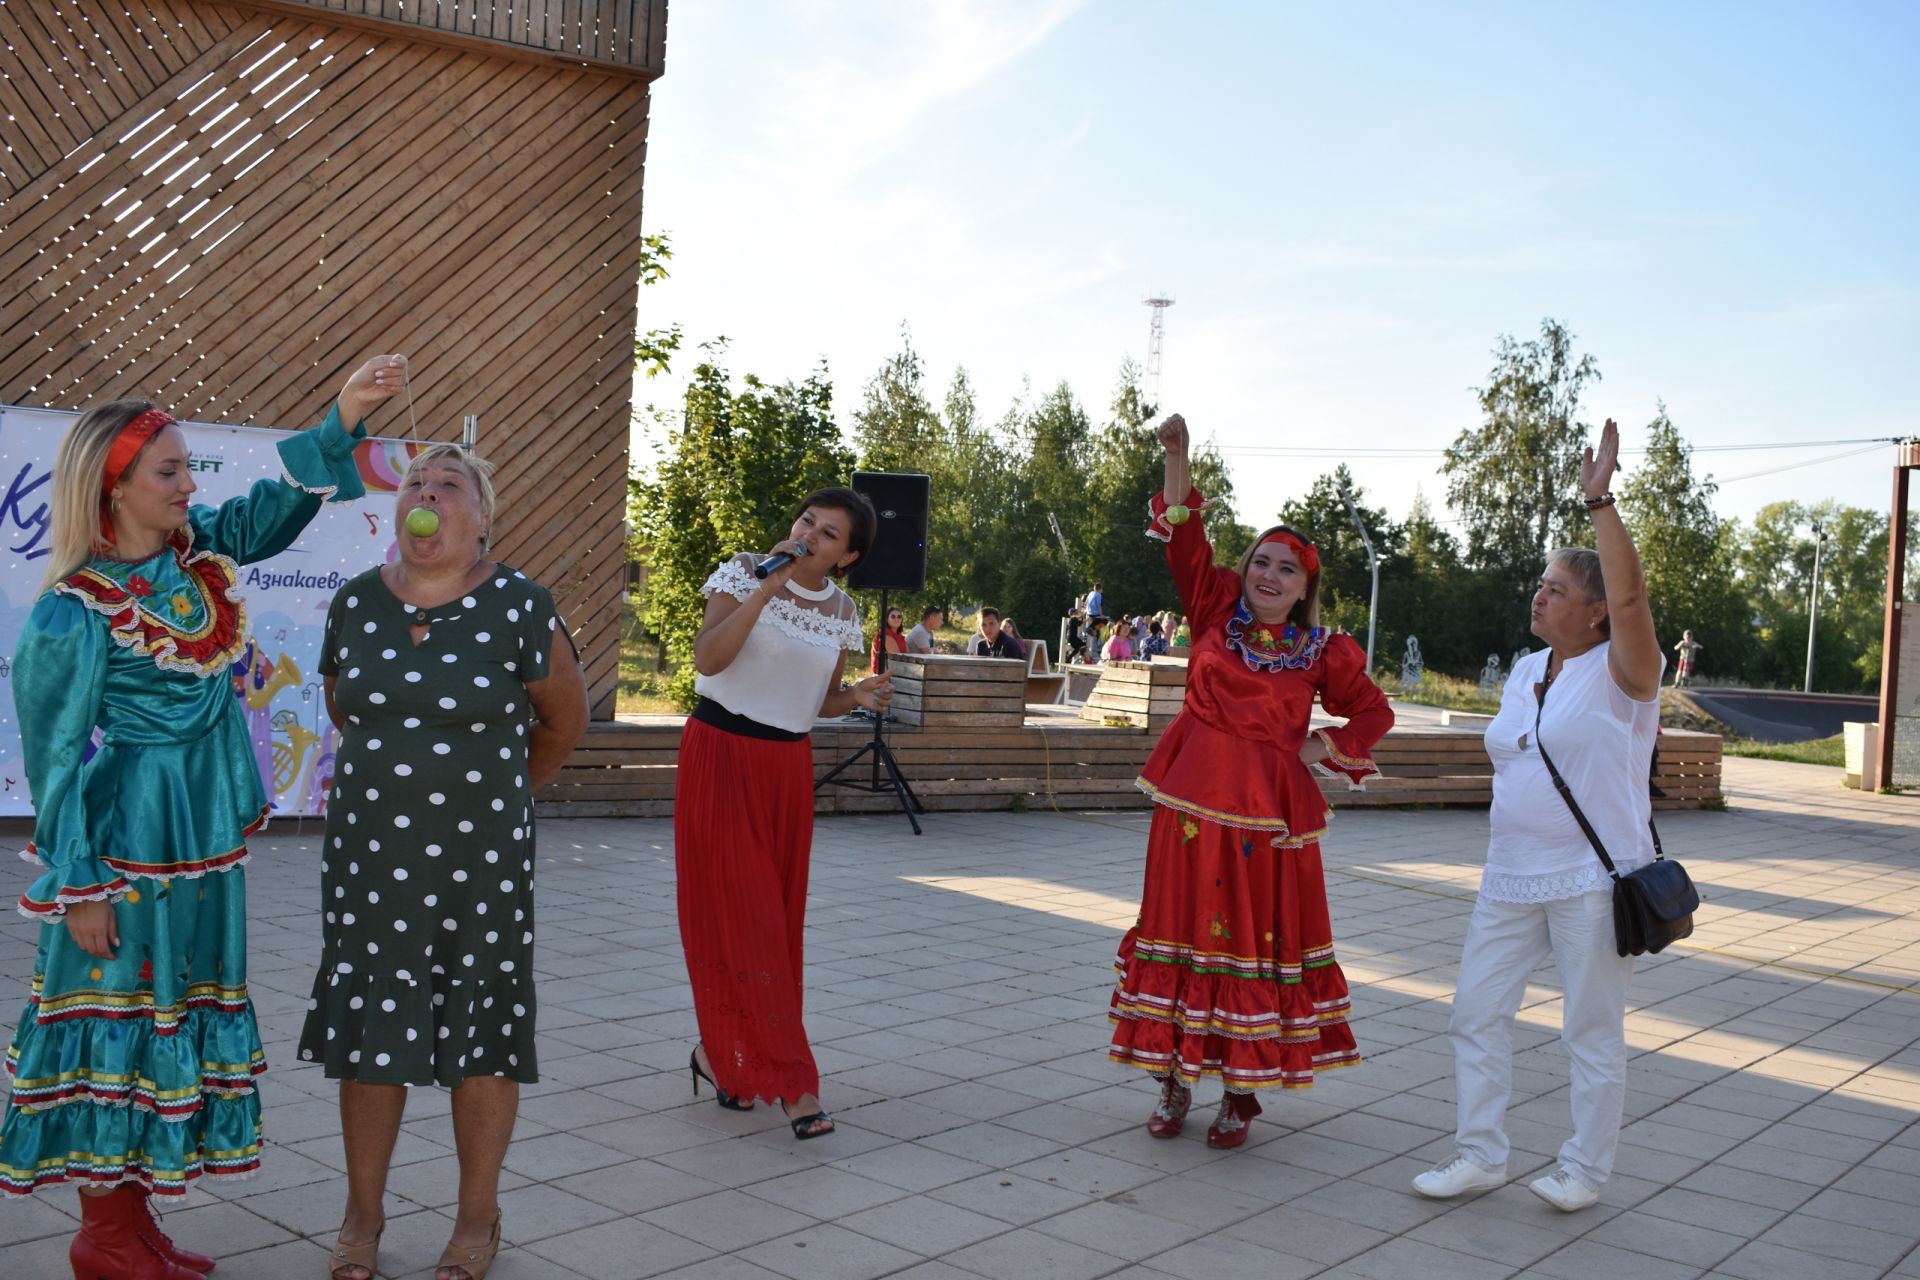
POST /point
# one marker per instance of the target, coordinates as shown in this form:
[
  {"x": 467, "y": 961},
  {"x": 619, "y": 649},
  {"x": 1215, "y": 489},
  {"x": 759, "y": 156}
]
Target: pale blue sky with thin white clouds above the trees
[{"x": 1349, "y": 204}]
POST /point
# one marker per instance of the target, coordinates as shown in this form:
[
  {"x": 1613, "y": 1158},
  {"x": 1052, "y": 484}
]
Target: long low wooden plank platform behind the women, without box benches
[{"x": 1053, "y": 757}]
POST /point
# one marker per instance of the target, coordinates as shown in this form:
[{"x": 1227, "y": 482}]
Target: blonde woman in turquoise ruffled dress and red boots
[{"x": 135, "y": 1058}]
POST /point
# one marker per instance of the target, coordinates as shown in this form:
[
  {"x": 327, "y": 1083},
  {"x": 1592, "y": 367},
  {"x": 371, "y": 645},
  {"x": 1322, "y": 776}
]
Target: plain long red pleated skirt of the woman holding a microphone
[{"x": 744, "y": 830}]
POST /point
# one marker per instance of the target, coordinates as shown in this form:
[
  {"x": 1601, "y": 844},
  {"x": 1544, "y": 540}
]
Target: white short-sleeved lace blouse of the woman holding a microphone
[{"x": 780, "y": 675}]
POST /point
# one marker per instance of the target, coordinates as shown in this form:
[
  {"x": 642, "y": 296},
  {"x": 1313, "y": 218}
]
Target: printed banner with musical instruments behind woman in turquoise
[{"x": 287, "y": 598}]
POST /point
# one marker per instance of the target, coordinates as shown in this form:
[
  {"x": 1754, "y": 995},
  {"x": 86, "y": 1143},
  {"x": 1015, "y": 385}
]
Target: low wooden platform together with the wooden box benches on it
[{"x": 976, "y": 747}]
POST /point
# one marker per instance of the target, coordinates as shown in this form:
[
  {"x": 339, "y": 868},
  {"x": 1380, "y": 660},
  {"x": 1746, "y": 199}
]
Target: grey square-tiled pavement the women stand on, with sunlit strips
[{"x": 957, "y": 1001}]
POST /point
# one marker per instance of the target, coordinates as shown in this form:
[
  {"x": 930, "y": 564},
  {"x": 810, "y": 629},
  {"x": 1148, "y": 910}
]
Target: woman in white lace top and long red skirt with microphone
[{"x": 771, "y": 655}]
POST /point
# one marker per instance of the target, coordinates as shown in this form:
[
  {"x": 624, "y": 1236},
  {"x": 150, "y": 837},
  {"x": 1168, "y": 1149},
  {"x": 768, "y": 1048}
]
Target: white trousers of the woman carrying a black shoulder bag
[{"x": 1506, "y": 943}]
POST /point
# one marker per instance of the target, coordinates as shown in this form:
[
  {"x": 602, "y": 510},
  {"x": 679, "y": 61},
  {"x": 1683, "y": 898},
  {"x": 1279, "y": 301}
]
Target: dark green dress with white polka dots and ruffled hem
[{"x": 427, "y": 872}]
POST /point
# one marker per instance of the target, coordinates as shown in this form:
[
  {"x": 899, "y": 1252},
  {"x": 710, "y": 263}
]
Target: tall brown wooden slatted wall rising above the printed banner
[{"x": 229, "y": 206}]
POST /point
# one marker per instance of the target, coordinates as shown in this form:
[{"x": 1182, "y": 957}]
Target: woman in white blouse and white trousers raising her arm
[{"x": 1545, "y": 891}]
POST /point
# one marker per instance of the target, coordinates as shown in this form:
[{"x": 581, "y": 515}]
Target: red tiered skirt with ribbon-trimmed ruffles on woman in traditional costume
[{"x": 1230, "y": 970}]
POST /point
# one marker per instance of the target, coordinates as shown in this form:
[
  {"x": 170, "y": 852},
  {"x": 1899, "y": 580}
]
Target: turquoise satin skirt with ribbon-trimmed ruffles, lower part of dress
[{"x": 139, "y": 1068}]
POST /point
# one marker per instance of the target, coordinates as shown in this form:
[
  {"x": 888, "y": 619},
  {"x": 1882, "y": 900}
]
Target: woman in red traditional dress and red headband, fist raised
[{"x": 1230, "y": 970}]
